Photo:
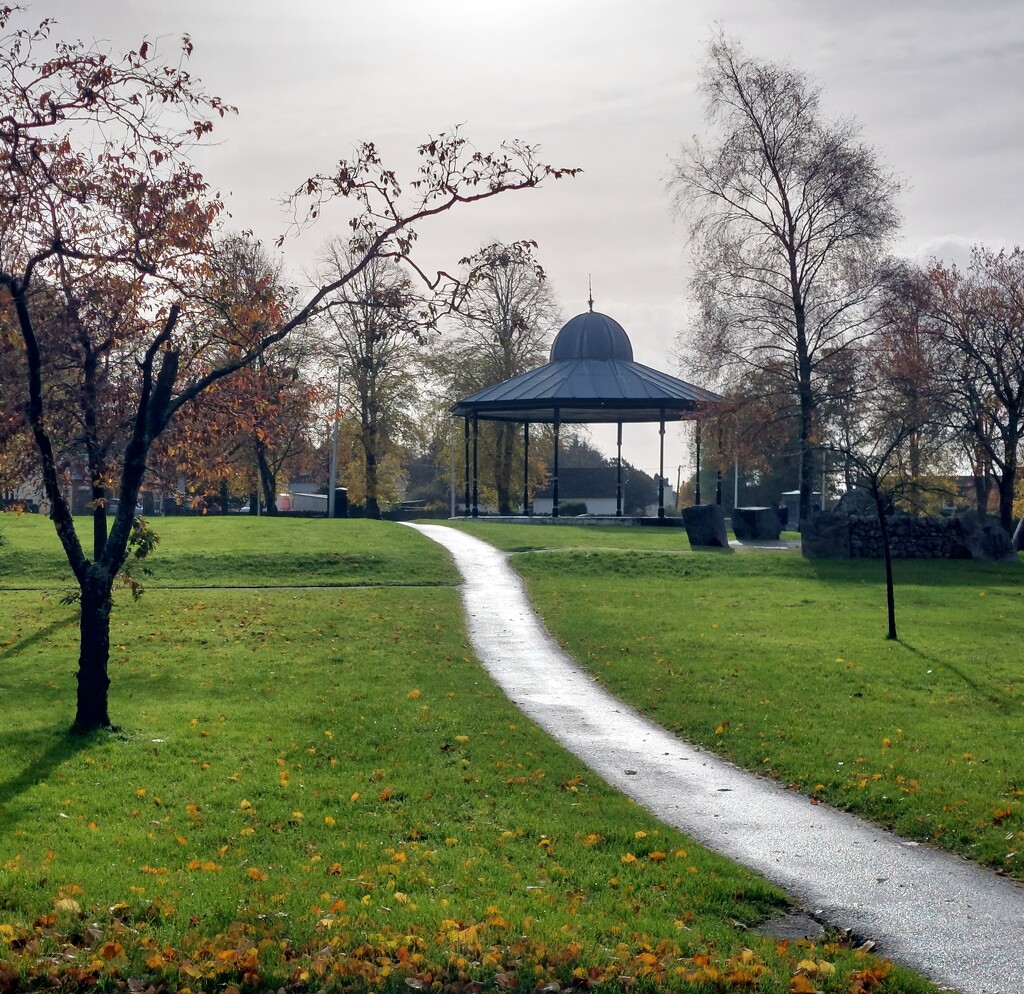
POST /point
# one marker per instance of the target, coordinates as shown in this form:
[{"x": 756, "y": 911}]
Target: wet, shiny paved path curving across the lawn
[{"x": 956, "y": 923}]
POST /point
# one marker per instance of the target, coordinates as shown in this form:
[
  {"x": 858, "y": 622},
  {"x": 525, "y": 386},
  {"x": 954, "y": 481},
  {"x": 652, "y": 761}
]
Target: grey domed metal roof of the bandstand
[{"x": 590, "y": 378}]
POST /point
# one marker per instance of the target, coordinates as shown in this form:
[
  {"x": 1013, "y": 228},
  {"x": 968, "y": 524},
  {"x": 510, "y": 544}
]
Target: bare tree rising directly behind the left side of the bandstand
[{"x": 505, "y": 324}]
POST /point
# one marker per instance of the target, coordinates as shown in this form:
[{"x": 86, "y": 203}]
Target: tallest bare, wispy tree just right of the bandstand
[{"x": 789, "y": 214}]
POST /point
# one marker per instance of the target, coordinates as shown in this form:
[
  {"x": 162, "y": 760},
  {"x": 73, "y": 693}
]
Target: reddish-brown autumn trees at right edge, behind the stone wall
[{"x": 952, "y": 349}]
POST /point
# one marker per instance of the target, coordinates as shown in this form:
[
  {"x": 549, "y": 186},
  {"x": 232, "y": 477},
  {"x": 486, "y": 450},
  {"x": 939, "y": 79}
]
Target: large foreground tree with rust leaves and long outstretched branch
[{"x": 109, "y": 230}]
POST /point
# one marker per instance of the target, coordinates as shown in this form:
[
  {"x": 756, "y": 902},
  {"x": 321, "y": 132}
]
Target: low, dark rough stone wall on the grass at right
[{"x": 832, "y": 535}]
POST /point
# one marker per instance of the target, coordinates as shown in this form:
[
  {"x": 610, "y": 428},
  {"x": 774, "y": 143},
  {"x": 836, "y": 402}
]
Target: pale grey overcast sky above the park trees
[{"x": 606, "y": 85}]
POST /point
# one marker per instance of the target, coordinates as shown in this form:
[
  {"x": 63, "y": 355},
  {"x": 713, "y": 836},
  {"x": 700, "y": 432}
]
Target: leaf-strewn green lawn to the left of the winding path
[{"x": 321, "y": 788}]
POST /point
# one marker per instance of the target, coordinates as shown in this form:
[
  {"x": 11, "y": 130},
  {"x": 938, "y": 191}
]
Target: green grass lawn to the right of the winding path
[{"x": 782, "y": 665}]
